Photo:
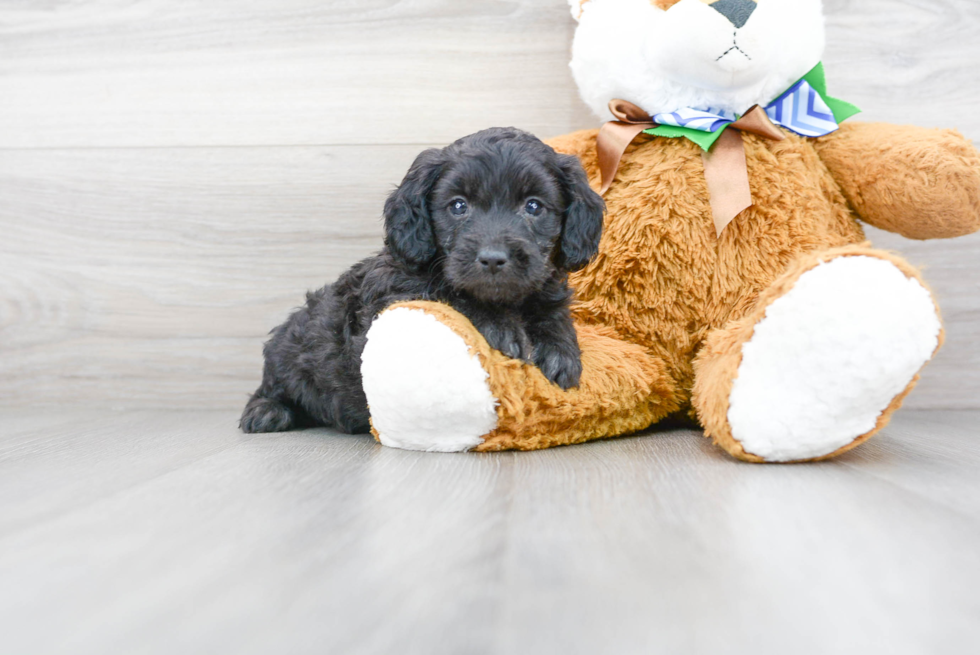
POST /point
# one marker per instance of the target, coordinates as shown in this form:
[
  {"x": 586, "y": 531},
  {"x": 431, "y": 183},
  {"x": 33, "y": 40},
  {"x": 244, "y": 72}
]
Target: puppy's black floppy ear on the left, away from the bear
[{"x": 408, "y": 226}]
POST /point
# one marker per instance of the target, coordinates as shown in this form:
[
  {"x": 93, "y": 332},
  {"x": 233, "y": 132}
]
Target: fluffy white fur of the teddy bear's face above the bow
[{"x": 665, "y": 60}]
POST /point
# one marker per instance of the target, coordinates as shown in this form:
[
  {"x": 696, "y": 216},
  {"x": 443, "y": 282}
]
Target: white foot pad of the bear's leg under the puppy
[{"x": 425, "y": 389}]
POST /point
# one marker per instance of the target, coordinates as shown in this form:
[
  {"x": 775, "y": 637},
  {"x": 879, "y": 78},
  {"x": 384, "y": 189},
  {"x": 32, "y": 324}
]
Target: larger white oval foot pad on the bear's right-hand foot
[{"x": 829, "y": 357}]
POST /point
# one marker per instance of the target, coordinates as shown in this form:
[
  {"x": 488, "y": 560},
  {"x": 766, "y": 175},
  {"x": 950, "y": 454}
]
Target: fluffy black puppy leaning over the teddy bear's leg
[{"x": 489, "y": 225}]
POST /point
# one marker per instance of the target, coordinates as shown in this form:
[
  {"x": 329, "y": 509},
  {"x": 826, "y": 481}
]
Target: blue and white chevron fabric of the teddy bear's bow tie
[{"x": 801, "y": 109}]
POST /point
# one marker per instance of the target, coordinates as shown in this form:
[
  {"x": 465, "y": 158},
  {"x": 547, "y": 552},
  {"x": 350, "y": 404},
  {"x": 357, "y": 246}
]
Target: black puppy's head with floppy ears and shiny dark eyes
[{"x": 499, "y": 211}]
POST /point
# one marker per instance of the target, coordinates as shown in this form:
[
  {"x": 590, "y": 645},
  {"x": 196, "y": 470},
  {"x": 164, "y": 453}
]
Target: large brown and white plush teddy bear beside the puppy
[{"x": 734, "y": 284}]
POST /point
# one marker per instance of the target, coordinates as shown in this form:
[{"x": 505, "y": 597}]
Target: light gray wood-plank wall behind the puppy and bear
[{"x": 173, "y": 175}]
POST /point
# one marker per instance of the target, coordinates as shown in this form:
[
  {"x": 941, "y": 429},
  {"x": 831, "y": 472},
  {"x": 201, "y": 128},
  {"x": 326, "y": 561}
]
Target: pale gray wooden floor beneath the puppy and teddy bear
[{"x": 171, "y": 532}]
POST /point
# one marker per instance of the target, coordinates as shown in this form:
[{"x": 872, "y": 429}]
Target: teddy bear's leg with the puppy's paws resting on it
[{"x": 433, "y": 383}]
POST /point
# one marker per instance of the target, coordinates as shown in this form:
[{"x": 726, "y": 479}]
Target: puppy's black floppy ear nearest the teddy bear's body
[{"x": 582, "y": 227}]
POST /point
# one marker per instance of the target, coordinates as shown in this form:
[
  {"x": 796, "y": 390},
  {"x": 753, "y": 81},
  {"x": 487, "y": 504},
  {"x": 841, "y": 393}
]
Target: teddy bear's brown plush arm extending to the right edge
[{"x": 920, "y": 183}]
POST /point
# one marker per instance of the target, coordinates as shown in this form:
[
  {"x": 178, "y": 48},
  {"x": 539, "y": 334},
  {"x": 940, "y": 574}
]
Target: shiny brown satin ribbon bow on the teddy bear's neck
[{"x": 725, "y": 169}]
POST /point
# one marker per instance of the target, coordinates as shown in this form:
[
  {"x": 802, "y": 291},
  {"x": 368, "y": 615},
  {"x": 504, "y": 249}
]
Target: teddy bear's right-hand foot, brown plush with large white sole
[{"x": 821, "y": 362}]
